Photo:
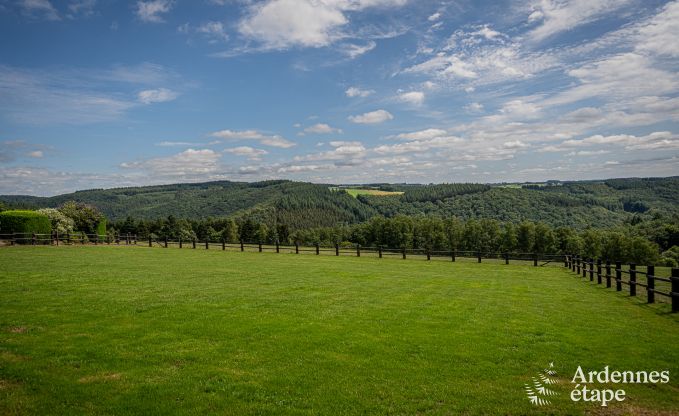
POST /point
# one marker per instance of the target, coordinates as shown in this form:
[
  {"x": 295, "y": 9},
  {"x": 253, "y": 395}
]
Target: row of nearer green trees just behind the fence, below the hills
[{"x": 642, "y": 244}]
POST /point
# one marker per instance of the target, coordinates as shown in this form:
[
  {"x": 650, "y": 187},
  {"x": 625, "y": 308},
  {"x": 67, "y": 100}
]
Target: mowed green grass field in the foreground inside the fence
[{"x": 129, "y": 330}]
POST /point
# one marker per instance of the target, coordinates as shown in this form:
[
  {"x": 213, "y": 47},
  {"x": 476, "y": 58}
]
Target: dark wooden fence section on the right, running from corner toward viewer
[{"x": 632, "y": 276}]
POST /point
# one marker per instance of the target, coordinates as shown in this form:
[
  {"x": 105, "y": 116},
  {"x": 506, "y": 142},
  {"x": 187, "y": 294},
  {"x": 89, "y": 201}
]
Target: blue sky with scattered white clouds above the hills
[{"x": 106, "y": 93}]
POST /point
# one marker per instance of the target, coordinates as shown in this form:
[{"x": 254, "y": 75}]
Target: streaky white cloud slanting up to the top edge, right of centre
[{"x": 561, "y": 16}]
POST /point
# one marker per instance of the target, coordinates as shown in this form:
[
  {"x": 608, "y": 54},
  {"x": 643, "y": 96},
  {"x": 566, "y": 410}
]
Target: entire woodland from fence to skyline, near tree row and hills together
[{"x": 593, "y": 217}]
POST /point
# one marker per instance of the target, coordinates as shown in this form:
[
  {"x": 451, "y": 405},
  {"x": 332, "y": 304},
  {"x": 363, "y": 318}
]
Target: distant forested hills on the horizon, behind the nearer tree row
[{"x": 301, "y": 205}]
